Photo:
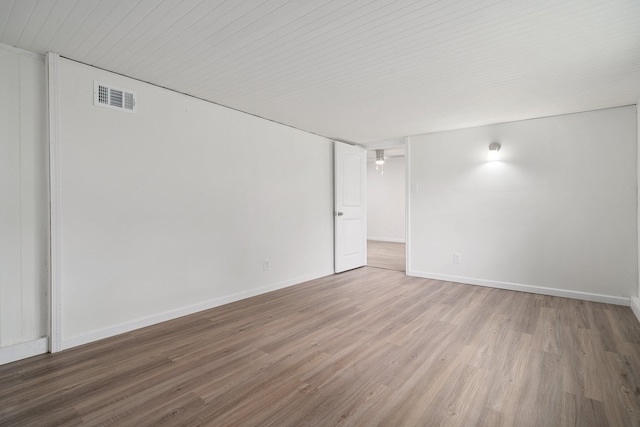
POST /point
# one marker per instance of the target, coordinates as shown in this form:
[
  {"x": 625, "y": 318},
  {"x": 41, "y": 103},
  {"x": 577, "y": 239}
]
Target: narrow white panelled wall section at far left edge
[{"x": 23, "y": 205}]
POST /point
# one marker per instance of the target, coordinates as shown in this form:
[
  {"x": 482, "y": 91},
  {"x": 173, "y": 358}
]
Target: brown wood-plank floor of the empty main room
[{"x": 366, "y": 347}]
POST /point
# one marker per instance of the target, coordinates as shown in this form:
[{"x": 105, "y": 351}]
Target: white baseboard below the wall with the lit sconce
[{"x": 586, "y": 296}]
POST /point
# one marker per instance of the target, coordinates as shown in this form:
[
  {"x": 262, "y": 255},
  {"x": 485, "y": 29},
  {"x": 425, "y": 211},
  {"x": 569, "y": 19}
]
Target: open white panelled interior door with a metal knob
[{"x": 350, "y": 206}]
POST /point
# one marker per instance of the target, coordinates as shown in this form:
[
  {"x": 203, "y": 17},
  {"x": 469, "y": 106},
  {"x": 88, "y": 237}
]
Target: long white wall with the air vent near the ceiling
[{"x": 173, "y": 209}]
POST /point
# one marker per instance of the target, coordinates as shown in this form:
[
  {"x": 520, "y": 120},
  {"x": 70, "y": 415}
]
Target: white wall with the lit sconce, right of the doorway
[{"x": 559, "y": 212}]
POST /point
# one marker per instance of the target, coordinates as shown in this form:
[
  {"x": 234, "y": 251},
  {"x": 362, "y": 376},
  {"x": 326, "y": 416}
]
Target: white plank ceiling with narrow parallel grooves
[{"x": 360, "y": 70}]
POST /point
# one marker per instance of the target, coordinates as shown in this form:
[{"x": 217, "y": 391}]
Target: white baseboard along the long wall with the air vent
[{"x": 182, "y": 311}]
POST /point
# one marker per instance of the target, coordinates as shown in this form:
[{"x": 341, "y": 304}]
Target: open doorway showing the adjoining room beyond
[{"x": 386, "y": 205}]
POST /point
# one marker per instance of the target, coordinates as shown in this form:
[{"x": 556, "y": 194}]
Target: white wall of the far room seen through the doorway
[{"x": 386, "y": 201}]
